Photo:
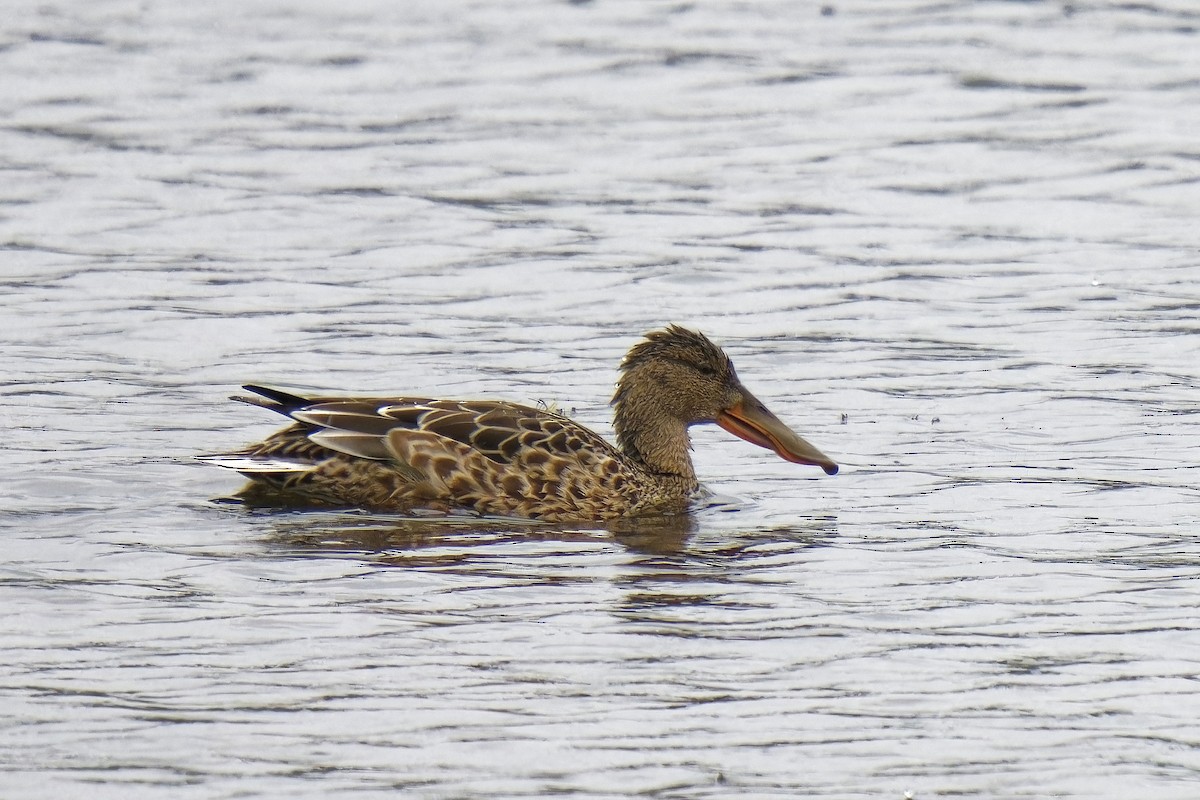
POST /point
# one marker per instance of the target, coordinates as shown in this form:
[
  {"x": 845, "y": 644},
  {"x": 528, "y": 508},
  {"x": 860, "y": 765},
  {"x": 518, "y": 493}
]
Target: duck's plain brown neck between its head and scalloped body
[{"x": 650, "y": 436}]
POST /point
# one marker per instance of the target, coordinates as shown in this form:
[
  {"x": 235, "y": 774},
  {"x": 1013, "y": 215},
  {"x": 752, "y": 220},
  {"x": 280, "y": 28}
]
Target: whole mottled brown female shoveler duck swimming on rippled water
[{"x": 501, "y": 459}]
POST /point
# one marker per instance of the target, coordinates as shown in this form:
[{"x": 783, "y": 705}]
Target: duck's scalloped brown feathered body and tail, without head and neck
[{"x": 487, "y": 456}]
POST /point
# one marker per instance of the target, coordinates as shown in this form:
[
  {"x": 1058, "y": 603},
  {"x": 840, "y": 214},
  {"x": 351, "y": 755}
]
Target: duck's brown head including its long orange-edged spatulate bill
[{"x": 676, "y": 377}]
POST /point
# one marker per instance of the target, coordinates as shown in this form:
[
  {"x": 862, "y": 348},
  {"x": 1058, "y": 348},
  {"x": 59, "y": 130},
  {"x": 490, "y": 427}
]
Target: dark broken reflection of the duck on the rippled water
[{"x": 657, "y": 562}]
